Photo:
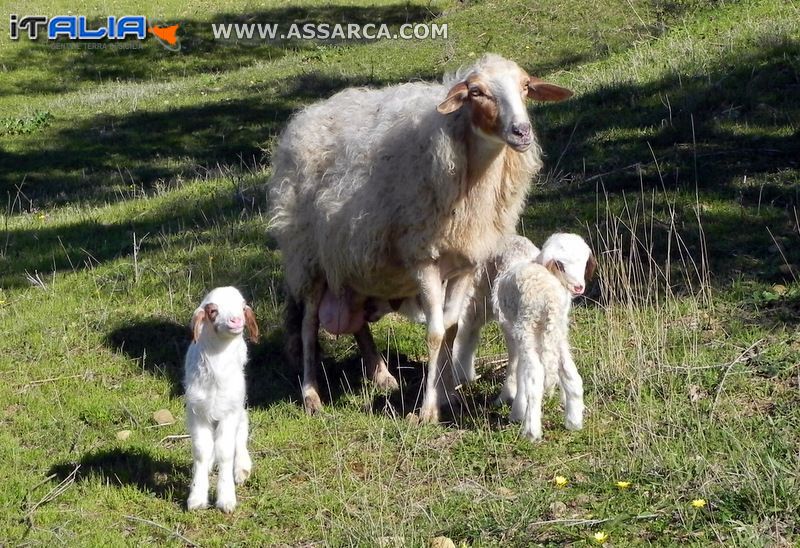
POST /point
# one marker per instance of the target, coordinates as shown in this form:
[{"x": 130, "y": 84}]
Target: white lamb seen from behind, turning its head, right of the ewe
[{"x": 532, "y": 301}]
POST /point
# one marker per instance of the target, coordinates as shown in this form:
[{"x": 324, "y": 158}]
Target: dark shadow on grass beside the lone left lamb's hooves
[{"x": 130, "y": 467}]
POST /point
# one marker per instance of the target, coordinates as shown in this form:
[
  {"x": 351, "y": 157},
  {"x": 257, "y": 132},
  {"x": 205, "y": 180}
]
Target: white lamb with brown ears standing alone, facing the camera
[{"x": 215, "y": 395}]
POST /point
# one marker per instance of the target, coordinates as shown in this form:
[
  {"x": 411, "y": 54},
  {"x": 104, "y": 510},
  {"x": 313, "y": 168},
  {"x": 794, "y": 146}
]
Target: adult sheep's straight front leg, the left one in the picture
[{"x": 432, "y": 297}]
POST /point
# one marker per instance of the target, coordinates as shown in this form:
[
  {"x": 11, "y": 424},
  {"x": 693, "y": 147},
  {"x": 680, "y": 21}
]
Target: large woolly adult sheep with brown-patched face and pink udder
[{"x": 382, "y": 194}]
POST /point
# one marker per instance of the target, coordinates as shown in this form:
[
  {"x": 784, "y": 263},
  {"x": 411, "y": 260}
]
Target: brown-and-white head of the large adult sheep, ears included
[{"x": 494, "y": 90}]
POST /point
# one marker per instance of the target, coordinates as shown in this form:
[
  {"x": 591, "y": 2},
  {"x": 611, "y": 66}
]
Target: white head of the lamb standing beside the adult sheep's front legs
[{"x": 569, "y": 258}]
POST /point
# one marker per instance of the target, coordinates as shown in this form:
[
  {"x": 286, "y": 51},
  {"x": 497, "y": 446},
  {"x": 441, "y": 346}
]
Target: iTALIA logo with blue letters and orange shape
[{"x": 76, "y": 27}]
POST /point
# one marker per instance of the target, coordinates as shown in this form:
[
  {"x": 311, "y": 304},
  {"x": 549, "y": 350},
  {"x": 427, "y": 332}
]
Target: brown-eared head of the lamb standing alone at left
[{"x": 226, "y": 313}]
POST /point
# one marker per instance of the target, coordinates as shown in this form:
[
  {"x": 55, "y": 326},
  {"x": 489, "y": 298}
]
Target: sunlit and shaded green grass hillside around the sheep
[{"x": 132, "y": 181}]
